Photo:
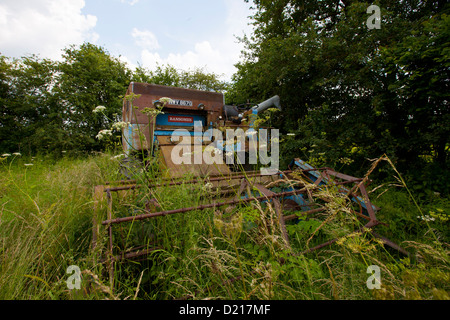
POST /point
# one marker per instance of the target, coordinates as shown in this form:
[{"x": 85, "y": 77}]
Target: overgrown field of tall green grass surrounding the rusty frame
[{"x": 46, "y": 212}]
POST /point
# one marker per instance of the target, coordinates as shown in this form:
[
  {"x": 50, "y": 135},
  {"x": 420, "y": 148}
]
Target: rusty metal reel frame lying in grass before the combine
[{"x": 324, "y": 175}]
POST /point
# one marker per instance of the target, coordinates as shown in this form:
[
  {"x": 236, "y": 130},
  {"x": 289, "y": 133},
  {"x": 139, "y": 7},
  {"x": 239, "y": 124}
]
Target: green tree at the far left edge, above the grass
[{"x": 30, "y": 113}]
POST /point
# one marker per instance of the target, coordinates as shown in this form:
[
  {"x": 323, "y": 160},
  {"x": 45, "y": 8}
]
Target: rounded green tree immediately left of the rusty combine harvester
[{"x": 90, "y": 77}]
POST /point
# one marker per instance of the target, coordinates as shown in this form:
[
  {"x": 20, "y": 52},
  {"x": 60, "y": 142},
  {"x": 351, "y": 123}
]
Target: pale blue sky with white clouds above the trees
[{"x": 185, "y": 34}]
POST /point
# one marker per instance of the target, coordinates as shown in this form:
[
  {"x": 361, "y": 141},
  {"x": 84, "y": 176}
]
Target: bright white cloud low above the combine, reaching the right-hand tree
[{"x": 217, "y": 54}]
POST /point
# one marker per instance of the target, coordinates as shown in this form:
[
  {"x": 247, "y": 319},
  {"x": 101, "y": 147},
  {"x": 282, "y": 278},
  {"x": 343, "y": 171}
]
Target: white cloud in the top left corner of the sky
[{"x": 43, "y": 27}]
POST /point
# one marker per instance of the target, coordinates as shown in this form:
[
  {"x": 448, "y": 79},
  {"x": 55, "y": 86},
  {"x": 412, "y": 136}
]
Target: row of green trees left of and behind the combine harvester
[{"x": 47, "y": 106}]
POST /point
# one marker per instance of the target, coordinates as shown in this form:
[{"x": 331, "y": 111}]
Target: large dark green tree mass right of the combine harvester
[{"x": 361, "y": 92}]
